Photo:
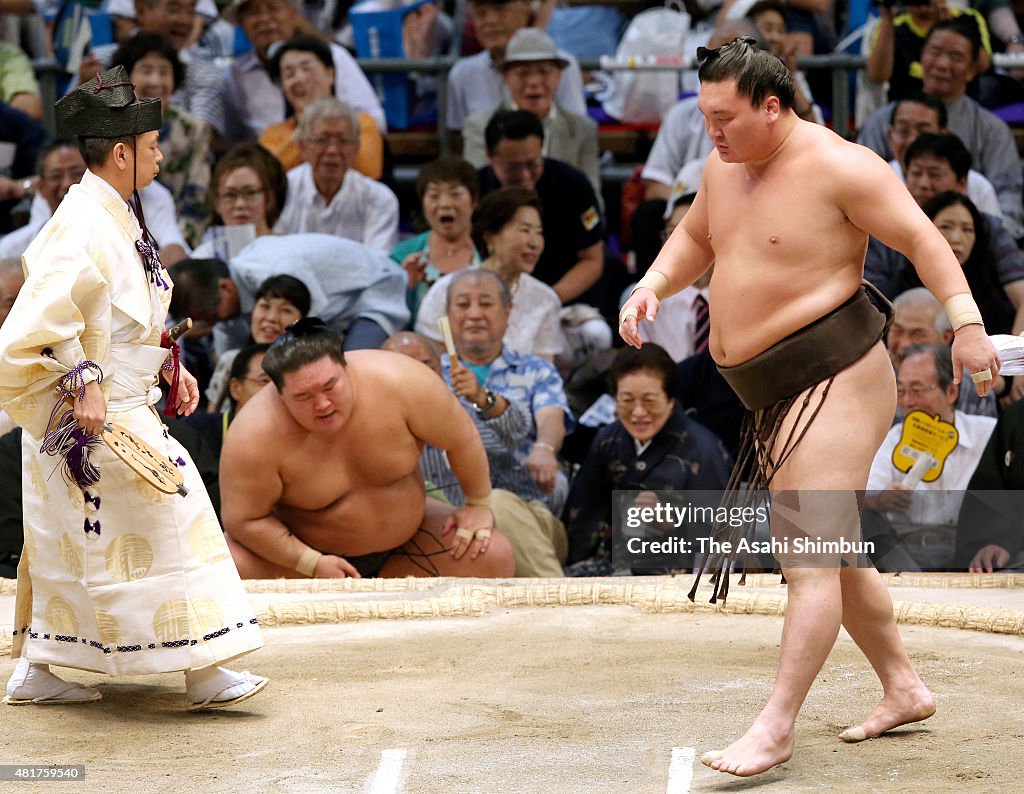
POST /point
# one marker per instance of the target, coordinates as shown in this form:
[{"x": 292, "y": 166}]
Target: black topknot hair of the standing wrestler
[{"x": 757, "y": 72}]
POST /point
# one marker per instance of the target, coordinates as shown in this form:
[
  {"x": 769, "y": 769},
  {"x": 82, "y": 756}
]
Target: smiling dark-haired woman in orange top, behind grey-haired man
[{"x": 304, "y": 67}]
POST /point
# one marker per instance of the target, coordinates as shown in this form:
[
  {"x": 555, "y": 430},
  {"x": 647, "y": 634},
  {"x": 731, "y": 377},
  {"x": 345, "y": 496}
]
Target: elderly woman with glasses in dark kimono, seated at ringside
[{"x": 654, "y": 446}]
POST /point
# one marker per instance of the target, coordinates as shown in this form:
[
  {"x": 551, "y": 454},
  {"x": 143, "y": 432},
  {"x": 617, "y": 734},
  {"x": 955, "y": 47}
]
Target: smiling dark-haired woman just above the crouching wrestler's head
[{"x": 281, "y": 301}]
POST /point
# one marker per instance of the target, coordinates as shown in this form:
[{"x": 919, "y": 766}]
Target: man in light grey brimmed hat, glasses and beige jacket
[{"x": 533, "y": 72}]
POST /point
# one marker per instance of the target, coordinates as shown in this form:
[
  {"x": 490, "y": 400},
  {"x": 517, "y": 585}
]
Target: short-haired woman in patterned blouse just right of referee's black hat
[{"x": 154, "y": 67}]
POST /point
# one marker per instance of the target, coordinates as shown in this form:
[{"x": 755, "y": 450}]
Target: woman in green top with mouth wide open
[{"x": 448, "y": 189}]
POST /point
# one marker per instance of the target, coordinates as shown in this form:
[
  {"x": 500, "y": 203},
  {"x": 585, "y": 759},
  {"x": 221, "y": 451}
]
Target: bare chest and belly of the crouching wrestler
[{"x": 356, "y": 489}]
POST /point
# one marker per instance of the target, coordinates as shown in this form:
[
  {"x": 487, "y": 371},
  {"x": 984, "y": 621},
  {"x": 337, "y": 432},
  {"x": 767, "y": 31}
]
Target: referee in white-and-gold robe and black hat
[{"x": 115, "y": 576}]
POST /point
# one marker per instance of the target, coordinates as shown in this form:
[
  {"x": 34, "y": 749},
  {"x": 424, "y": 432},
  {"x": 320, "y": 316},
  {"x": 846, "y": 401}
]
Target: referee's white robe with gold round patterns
[{"x": 121, "y": 579}]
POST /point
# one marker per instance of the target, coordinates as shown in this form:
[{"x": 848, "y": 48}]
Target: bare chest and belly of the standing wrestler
[{"x": 785, "y": 253}]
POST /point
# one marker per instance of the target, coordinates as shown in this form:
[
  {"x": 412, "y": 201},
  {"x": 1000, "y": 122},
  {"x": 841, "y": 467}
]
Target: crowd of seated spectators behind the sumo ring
[{"x": 283, "y": 195}]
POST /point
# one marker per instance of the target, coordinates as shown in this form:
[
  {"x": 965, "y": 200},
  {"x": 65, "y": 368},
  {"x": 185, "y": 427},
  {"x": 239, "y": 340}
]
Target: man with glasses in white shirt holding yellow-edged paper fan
[{"x": 924, "y": 517}]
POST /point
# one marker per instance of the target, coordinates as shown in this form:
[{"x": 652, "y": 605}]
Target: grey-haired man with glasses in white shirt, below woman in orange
[{"x": 327, "y": 194}]
